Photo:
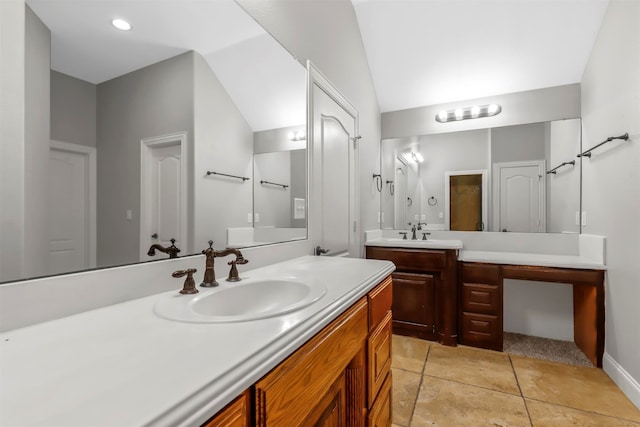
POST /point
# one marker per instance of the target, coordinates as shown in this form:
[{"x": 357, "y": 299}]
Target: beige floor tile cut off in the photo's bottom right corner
[{"x": 549, "y": 415}]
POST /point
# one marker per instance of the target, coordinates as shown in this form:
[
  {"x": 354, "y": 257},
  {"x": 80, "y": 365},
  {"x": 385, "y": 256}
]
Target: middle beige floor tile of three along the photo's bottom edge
[{"x": 449, "y": 403}]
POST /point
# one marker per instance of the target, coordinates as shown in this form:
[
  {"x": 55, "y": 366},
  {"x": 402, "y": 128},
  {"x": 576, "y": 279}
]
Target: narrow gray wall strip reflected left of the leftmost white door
[{"x": 37, "y": 145}]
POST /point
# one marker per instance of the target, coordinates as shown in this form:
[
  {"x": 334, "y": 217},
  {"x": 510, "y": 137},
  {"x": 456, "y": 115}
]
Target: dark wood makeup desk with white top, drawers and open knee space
[{"x": 480, "y": 286}]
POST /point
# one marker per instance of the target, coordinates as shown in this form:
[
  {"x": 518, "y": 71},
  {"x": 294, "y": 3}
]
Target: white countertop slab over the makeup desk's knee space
[{"x": 519, "y": 258}]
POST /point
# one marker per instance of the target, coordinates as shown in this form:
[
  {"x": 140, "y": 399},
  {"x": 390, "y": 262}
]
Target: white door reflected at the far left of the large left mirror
[{"x": 71, "y": 208}]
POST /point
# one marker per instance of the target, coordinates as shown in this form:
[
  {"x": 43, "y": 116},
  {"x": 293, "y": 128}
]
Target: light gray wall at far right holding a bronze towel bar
[{"x": 611, "y": 179}]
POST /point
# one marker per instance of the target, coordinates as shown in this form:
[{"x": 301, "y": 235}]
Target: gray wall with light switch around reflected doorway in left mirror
[{"x": 152, "y": 101}]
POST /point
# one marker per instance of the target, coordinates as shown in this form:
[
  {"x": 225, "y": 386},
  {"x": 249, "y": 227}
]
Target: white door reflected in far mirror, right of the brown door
[{"x": 521, "y": 196}]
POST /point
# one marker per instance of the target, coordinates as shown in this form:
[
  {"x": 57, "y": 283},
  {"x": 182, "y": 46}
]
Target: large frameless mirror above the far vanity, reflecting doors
[{"x": 447, "y": 154}]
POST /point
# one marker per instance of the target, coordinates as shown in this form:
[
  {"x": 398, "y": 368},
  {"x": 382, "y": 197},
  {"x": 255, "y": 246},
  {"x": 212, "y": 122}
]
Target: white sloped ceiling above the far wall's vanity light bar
[{"x": 427, "y": 52}]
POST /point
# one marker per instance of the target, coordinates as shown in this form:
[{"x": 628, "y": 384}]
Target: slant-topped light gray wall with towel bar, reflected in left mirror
[{"x": 223, "y": 143}]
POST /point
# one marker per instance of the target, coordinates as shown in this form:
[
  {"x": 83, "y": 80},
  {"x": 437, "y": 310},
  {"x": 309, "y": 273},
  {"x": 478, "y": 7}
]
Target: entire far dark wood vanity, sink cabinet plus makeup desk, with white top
[{"x": 461, "y": 291}]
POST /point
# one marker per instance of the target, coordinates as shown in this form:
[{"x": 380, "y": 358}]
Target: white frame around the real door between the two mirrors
[{"x": 316, "y": 78}]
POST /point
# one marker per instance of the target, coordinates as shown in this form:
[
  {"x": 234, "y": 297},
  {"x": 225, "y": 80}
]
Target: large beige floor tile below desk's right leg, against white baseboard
[{"x": 588, "y": 389}]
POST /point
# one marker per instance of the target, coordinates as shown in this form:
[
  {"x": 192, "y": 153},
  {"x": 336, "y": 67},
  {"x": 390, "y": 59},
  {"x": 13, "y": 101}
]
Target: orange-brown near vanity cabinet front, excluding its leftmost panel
[{"x": 340, "y": 377}]
